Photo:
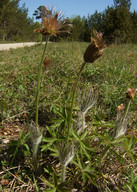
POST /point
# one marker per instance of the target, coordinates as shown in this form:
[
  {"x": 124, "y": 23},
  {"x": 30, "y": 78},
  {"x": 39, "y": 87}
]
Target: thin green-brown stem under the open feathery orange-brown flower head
[{"x": 38, "y": 81}]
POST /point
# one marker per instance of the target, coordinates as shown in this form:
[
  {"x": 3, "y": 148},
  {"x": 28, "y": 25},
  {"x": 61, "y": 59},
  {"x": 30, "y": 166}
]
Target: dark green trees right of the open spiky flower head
[{"x": 117, "y": 22}]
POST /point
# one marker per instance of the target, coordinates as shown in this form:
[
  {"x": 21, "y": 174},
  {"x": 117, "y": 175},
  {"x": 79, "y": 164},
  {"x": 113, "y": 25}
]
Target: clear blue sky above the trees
[{"x": 71, "y": 8}]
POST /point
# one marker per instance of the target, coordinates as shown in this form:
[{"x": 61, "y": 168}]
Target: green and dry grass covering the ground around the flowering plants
[{"x": 111, "y": 75}]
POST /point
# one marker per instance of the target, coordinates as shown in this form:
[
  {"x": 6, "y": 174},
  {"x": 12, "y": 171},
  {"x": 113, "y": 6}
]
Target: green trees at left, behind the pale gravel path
[{"x": 15, "y": 24}]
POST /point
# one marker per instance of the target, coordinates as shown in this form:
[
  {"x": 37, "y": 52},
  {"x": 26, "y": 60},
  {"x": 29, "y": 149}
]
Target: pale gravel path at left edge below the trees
[{"x": 4, "y": 47}]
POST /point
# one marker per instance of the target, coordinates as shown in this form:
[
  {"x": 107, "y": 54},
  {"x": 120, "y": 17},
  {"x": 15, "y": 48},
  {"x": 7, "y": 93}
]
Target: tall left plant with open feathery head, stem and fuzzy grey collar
[{"x": 52, "y": 24}]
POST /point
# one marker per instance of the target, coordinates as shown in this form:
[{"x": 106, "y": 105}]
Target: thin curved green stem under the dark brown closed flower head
[{"x": 73, "y": 99}]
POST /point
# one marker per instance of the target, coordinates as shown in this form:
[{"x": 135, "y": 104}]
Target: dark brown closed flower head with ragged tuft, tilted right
[{"x": 95, "y": 49}]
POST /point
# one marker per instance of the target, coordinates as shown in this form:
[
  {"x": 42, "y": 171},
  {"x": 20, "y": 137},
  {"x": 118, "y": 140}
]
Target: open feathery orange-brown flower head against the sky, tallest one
[{"x": 52, "y": 23}]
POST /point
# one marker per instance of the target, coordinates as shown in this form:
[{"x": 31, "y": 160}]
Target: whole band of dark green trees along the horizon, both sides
[{"x": 117, "y": 22}]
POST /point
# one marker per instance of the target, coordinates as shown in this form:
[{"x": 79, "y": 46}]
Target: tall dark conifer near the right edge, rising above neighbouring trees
[{"x": 117, "y": 22}]
